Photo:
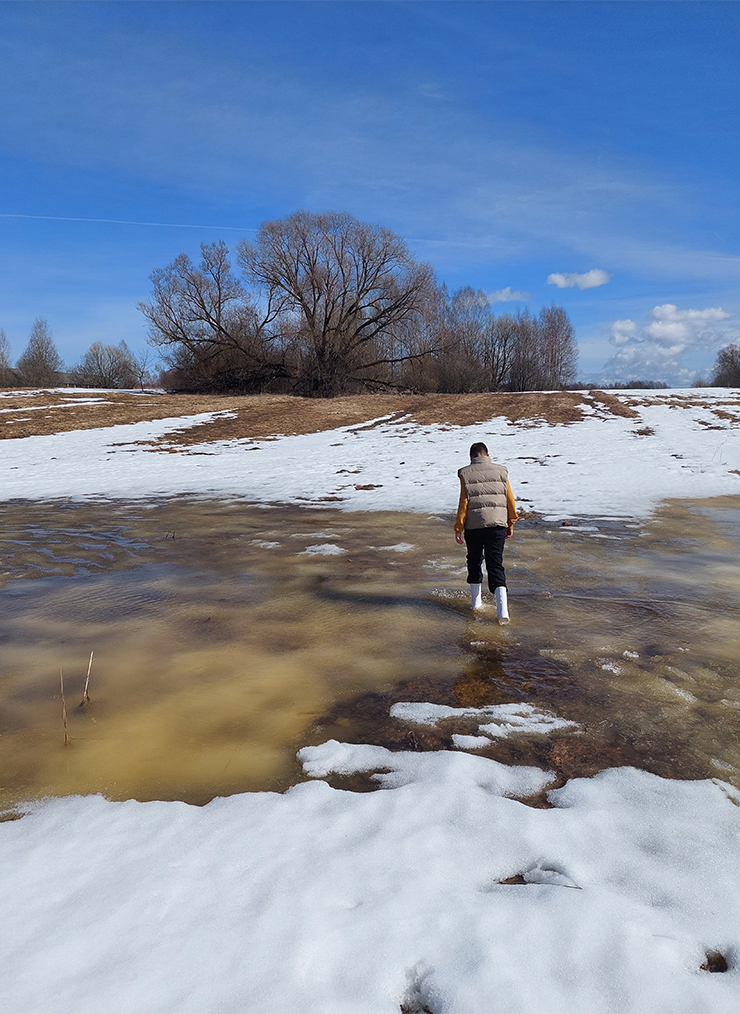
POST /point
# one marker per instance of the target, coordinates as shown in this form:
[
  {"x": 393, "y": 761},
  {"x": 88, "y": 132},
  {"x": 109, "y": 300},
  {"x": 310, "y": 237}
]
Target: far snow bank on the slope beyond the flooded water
[{"x": 601, "y": 467}]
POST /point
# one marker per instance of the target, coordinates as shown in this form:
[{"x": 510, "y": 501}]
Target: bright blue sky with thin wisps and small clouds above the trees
[{"x": 508, "y": 143}]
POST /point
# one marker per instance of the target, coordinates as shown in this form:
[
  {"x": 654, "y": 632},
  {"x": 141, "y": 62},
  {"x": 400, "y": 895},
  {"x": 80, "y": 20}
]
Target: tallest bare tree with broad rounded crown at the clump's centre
[{"x": 348, "y": 297}]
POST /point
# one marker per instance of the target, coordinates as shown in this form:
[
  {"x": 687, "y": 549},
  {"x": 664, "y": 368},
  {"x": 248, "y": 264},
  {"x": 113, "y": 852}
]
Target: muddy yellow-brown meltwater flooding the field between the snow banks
[{"x": 229, "y": 635}]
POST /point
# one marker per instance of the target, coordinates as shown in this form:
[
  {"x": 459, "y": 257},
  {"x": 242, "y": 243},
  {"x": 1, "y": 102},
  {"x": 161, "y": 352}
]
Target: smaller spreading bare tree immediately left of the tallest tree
[{"x": 209, "y": 325}]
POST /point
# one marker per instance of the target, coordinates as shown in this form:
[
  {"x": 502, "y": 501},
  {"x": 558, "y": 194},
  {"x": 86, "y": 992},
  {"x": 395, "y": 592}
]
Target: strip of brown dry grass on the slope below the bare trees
[{"x": 261, "y": 417}]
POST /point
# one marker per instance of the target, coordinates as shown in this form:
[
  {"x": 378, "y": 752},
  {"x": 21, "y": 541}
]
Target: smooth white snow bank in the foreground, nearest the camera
[{"x": 328, "y": 902}]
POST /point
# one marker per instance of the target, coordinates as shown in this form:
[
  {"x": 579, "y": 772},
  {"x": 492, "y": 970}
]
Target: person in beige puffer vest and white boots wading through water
[{"x": 486, "y": 517}]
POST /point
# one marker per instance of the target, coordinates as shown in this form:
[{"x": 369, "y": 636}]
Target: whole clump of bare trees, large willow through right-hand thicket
[{"x": 324, "y": 305}]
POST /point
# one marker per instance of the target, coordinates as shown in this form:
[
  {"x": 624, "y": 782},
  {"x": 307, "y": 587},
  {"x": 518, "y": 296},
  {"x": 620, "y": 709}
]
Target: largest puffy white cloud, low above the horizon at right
[{"x": 674, "y": 345}]
